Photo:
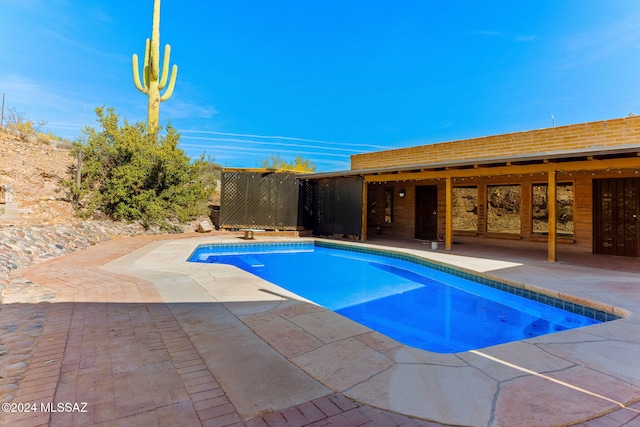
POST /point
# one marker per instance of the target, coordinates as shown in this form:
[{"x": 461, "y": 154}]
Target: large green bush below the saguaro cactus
[{"x": 128, "y": 174}]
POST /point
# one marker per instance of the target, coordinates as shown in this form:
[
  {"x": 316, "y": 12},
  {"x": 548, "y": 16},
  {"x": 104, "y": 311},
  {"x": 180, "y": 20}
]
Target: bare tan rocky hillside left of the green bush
[{"x": 33, "y": 170}]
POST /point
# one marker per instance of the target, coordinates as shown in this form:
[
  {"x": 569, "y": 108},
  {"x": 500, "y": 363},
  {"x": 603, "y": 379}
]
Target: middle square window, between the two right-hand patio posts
[{"x": 503, "y": 209}]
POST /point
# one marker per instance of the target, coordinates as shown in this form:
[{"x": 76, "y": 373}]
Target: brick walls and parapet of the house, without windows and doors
[{"x": 584, "y": 138}]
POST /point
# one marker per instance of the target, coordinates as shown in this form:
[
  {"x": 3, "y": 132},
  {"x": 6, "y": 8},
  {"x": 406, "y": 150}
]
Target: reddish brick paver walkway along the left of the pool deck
[{"x": 108, "y": 341}]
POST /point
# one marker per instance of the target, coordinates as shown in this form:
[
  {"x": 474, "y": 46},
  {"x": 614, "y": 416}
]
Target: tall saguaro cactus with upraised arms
[{"x": 153, "y": 82}]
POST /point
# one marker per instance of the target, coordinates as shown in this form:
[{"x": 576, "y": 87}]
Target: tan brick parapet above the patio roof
[{"x": 608, "y": 133}]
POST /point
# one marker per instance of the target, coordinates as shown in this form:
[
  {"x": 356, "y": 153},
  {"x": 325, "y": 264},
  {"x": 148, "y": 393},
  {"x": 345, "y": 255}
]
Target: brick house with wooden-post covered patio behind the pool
[{"x": 572, "y": 189}]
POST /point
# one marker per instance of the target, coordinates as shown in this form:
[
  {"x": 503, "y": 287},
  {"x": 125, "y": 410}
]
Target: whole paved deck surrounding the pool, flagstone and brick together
[{"x": 146, "y": 338}]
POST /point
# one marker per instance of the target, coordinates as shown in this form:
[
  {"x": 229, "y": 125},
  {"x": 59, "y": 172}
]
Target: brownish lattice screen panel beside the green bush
[{"x": 260, "y": 199}]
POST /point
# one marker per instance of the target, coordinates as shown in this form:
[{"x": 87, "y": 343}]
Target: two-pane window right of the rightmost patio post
[{"x": 564, "y": 209}]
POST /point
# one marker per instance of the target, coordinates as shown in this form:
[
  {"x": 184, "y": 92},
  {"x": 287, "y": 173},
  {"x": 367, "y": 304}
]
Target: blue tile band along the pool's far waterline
[{"x": 525, "y": 291}]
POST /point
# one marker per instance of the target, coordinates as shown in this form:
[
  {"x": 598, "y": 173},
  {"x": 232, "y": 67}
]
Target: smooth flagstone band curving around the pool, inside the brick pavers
[{"x": 470, "y": 388}]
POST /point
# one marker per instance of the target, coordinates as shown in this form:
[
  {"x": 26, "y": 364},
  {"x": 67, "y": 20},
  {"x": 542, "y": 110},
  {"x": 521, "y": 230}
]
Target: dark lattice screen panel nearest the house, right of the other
[{"x": 333, "y": 207}]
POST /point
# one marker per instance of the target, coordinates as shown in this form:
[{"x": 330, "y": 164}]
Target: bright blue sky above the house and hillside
[{"x": 326, "y": 79}]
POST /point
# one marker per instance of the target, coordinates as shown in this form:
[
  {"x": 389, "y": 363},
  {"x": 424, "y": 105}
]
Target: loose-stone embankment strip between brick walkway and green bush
[{"x": 20, "y": 247}]
